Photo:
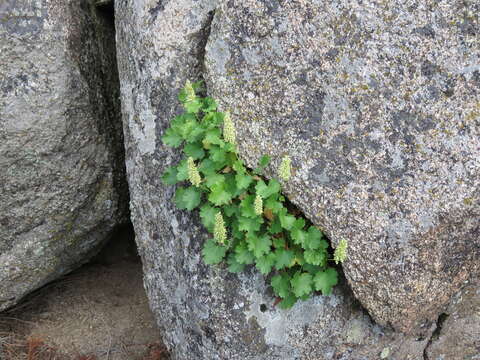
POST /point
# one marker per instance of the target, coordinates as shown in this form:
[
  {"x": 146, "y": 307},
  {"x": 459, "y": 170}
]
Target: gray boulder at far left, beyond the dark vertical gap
[{"x": 61, "y": 158}]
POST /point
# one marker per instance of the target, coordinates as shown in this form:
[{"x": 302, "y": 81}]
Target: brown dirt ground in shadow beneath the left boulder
[{"x": 98, "y": 312}]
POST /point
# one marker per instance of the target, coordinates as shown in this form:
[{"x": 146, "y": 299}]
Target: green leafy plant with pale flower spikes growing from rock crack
[{"x": 251, "y": 222}]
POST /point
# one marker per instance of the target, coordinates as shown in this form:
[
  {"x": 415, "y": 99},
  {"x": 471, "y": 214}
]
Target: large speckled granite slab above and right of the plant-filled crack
[{"x": 377, "y": 104}]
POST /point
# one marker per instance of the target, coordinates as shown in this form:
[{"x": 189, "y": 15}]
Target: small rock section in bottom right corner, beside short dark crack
[{"x": 458, "y": 334}]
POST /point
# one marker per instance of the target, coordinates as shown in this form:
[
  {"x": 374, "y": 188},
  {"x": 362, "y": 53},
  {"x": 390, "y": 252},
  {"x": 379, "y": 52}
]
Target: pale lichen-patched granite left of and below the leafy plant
[{"x": 204, "y": 312}]
